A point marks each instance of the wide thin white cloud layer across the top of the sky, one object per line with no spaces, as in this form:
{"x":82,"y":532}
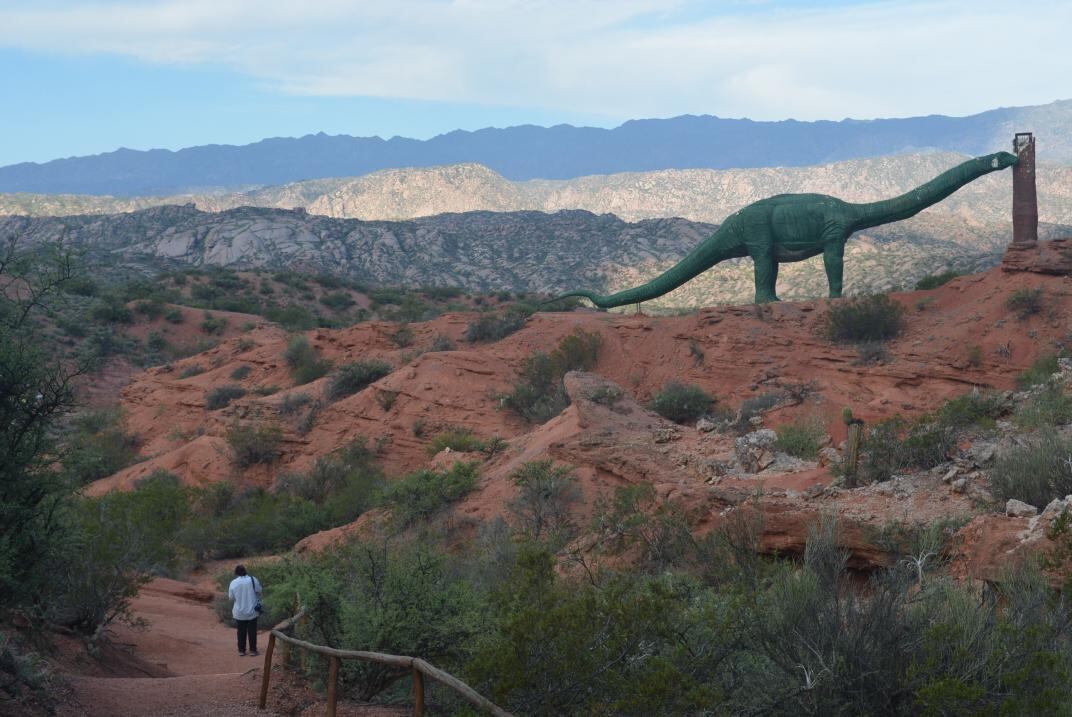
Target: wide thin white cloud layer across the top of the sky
{"x":627,"y":58}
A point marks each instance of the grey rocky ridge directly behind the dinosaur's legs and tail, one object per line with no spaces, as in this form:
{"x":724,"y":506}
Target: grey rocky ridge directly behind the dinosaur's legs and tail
{"x":490,"y":251}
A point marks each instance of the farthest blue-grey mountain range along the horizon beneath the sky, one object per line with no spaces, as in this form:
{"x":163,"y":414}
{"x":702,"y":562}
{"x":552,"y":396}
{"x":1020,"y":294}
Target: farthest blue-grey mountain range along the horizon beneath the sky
{"x":534,"y":153}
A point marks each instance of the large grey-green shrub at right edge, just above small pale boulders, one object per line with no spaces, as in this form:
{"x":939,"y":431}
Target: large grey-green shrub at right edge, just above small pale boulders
{"x":1036,"y":473}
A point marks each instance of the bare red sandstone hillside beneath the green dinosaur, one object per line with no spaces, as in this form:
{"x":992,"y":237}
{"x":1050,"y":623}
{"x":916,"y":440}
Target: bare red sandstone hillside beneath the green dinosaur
{"x":959,"y":337}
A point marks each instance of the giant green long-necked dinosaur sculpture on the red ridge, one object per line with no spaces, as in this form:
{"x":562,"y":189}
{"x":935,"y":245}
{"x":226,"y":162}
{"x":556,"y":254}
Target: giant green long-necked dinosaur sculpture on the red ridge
{"x":794,"y":228}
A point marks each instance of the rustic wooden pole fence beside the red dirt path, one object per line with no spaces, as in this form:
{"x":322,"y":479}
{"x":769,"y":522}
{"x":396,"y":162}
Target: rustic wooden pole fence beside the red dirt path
{"x":420,"y":669}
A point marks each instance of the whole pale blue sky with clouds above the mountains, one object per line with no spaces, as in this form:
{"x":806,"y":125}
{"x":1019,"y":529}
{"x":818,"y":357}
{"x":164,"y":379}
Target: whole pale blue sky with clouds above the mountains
{"x":87,"y":78}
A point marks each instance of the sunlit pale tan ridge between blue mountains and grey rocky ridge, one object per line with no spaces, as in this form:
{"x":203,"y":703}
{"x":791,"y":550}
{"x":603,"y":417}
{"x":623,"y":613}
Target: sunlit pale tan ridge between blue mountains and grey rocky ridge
{"x":702,"y":196}
